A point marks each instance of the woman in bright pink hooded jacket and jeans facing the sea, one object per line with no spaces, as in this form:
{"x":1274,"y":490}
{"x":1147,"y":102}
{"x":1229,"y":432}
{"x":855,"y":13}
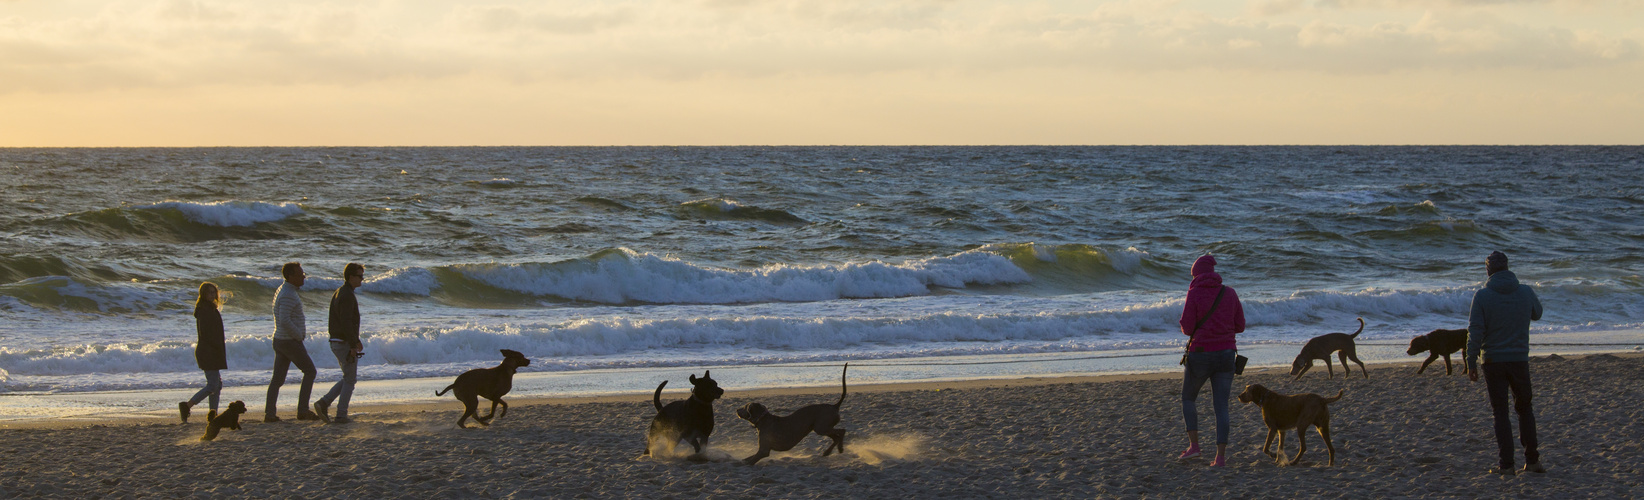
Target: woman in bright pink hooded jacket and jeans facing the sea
{"x":1211,"y":351}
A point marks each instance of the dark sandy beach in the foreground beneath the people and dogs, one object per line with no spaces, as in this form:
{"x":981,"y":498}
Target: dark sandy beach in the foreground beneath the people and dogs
{"x":1397,"y":435}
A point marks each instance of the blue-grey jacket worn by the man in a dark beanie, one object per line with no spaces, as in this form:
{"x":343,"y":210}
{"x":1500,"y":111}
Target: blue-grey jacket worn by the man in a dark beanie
{"x":1500,"y":325}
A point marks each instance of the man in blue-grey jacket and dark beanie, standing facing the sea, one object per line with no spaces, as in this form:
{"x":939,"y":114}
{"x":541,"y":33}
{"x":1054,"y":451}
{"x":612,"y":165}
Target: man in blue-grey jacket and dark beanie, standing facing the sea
{"x":1500,"y":330}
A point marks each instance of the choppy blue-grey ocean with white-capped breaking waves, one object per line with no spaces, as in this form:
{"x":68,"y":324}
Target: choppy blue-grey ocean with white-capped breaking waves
{"x":612,"y":259}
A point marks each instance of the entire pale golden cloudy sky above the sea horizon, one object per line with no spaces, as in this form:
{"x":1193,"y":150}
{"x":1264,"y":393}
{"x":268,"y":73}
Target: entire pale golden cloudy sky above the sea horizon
{"x":405,"y":73}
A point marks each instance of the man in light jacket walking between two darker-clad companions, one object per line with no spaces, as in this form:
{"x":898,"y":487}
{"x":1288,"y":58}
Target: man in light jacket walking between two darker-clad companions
{"x":290,"y":330}
